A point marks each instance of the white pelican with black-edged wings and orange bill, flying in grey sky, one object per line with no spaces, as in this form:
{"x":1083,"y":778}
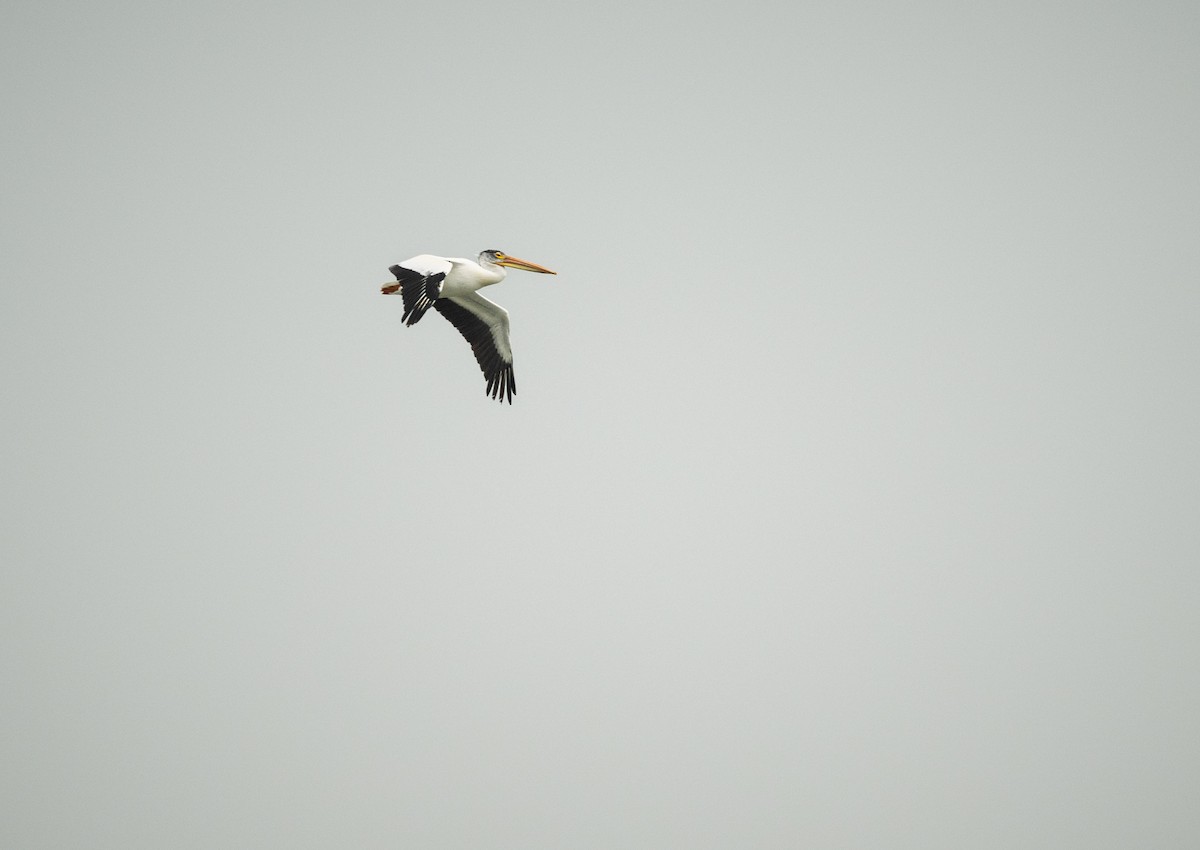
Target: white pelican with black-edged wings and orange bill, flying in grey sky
{"x":452,"y":285}
